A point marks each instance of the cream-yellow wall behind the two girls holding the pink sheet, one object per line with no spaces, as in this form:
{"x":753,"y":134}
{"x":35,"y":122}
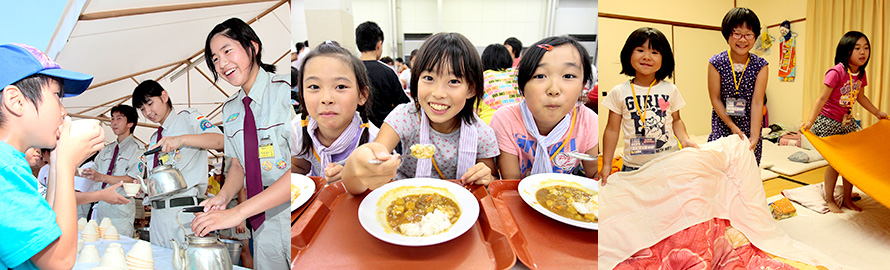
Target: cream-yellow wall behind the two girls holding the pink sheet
{"x":693,"y":47}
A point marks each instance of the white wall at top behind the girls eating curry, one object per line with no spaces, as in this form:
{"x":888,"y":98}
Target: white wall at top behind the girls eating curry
{"x":482,"y":22}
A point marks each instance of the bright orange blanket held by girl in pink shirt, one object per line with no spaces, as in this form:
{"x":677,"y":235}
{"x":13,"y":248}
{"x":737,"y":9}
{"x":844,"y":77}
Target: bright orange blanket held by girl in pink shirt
{"x":861,"y":157}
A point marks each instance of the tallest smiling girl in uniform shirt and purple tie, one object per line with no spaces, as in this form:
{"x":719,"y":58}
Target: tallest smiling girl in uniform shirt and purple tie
{"x":257,"y":138}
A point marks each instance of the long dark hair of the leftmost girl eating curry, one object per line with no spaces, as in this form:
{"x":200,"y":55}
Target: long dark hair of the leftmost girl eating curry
{"x":362,"y":80}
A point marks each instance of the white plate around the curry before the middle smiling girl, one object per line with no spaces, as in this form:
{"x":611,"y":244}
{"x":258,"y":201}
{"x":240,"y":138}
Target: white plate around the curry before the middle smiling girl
{"x":469,"y":208}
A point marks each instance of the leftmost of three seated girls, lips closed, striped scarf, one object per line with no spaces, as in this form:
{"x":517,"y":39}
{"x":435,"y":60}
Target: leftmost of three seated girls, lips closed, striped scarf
{"x":334,"y":90}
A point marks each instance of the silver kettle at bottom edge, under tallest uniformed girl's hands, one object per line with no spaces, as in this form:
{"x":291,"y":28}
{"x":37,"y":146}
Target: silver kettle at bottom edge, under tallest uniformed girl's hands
{"x":200,"y":253}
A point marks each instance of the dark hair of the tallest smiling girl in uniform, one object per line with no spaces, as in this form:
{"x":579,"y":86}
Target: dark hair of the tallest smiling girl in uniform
{"x":237,"y":30}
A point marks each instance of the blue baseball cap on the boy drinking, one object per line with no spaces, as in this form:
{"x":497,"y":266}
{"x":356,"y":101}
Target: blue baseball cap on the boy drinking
{"x":18,"y":61}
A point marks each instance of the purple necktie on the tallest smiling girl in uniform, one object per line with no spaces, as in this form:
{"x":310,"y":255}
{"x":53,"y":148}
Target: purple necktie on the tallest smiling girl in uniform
{"x":252,"y":174}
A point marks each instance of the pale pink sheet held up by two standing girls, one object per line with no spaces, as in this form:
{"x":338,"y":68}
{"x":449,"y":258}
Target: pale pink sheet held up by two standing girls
{"x":682,"y":189}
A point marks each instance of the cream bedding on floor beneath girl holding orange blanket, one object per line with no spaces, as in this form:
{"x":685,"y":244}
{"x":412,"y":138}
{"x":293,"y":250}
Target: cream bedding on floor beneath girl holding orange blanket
{"x":857,"y":239}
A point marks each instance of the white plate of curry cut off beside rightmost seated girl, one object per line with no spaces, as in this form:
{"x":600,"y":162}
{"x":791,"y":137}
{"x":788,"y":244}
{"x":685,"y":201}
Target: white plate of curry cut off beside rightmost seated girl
{"x":530,"y":185}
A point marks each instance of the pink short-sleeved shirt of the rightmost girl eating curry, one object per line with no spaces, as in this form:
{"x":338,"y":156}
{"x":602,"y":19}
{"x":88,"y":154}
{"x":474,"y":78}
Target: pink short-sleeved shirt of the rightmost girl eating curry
{"x":515,"y":139}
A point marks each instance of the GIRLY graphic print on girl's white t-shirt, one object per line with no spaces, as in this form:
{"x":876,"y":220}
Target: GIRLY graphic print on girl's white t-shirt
{"x":655,"y":107}
